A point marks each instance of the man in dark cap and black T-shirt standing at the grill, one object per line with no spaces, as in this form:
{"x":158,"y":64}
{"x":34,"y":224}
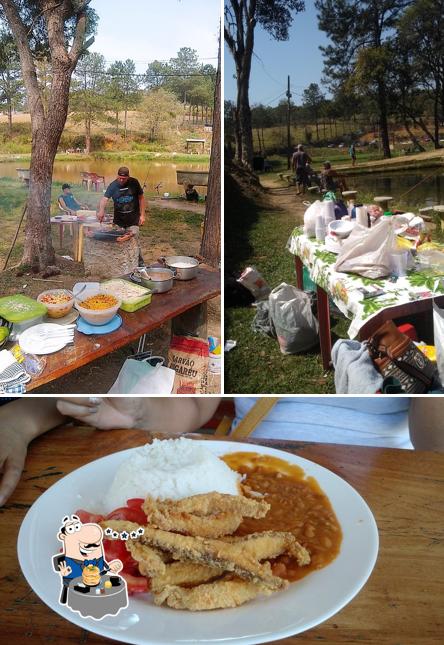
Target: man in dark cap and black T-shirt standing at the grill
{"x":129,"y":203}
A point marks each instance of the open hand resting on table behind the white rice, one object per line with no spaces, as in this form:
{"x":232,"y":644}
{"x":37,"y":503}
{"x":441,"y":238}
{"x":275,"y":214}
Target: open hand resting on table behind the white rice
{"x":102,"y":413}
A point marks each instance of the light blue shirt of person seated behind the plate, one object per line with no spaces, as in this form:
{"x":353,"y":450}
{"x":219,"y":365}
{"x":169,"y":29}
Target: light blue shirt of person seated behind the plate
{"x":365,"y":421}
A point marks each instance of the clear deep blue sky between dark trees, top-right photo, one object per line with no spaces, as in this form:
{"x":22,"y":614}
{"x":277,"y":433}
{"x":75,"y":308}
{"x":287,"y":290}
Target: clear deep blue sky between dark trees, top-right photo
{"x":273,"y":61}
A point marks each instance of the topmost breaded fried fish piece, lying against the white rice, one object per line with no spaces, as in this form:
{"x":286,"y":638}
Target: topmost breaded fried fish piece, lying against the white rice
{"x":206,"y":515}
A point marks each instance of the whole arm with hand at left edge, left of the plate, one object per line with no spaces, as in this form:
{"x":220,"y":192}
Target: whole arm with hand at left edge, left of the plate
{"x":20,"y":422}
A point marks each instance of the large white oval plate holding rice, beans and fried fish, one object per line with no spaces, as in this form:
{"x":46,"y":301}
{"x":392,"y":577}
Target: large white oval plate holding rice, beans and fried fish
{"x":305,"y":604}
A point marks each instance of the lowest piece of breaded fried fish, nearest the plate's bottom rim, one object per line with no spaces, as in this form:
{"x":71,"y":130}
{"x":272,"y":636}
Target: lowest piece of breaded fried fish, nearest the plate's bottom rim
{"x":216,"y":595}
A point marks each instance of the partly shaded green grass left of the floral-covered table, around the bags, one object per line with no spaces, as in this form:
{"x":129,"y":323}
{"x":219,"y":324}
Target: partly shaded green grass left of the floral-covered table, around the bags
{"x":256,"y":235}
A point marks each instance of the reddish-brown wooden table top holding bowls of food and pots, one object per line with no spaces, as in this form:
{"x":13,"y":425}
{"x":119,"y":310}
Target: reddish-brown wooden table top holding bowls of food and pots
{"x":185,"y":299}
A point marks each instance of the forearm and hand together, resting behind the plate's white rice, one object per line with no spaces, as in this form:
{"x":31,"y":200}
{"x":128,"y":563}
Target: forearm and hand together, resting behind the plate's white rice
{"x":156,"y":414}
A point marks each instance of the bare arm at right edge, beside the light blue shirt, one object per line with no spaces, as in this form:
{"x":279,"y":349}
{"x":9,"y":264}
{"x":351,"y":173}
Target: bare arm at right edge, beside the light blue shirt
{"x":426,"y":423}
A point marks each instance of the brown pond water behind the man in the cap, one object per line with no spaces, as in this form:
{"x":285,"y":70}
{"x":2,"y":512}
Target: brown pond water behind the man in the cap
{"x":159,"y":177}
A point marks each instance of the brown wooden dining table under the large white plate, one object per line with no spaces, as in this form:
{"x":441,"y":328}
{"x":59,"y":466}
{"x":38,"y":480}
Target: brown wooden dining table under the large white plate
{"x":401,"y":603}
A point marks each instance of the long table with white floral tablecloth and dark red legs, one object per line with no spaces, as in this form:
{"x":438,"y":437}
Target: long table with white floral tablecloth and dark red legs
{"x":410,"y":295}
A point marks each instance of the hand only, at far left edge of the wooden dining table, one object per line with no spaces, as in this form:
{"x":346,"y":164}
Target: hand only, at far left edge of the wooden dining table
{"x":13,"y":449}
